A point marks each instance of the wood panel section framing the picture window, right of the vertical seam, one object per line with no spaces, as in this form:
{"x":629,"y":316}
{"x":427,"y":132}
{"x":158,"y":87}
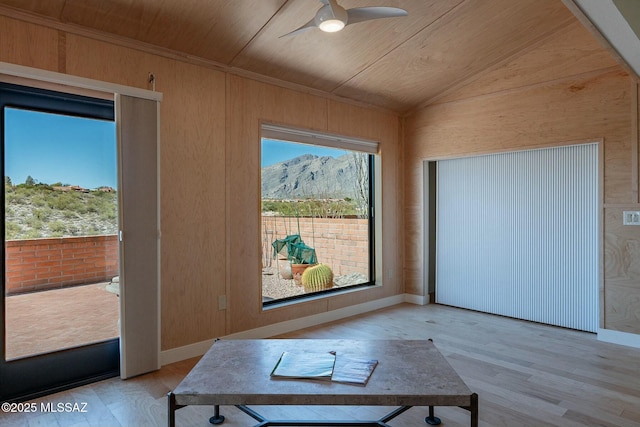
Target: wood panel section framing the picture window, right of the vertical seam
{"x":249,"y":104}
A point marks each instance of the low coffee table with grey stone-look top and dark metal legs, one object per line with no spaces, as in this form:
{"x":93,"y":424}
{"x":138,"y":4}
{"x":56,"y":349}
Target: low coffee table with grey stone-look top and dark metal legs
{"x":237,"y":372}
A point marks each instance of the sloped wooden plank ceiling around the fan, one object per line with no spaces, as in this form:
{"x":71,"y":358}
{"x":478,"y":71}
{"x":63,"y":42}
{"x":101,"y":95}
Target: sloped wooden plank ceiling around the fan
{"x":398,"y":63}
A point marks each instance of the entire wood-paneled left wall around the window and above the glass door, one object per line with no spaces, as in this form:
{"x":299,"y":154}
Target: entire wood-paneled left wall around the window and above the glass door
{"x":210,"y":175}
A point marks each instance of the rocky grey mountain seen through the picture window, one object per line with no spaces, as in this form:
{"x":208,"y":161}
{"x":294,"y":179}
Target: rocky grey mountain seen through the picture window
{"x":311,"y":176}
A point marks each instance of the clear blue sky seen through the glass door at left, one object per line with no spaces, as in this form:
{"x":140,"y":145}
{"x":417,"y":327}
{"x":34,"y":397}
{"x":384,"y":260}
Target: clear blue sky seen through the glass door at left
{"x":56,"y":148}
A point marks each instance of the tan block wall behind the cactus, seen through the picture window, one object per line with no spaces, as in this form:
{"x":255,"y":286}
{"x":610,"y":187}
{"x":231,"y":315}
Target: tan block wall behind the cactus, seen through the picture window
{"x":341,"y":243}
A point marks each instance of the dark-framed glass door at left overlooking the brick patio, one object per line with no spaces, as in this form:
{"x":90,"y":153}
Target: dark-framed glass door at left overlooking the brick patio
{"x":61,"y":289}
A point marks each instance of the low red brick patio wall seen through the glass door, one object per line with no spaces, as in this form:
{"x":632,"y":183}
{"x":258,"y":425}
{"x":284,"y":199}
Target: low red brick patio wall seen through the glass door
{"x":39,"y":264}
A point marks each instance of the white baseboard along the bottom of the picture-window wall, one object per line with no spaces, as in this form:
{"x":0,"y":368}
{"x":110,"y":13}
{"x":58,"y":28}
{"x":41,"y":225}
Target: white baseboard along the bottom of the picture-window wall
{"x":199,"y":348}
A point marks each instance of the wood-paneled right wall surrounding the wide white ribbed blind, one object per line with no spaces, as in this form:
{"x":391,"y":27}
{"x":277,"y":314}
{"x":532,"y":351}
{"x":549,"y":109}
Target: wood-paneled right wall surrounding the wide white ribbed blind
{"x":566,"y":89}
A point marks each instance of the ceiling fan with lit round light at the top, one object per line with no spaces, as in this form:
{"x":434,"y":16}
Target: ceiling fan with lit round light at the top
{"x":332,"y":17}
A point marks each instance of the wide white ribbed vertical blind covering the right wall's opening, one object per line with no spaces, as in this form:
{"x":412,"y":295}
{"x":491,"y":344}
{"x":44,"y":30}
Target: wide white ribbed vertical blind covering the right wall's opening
{"x":517,"y":235}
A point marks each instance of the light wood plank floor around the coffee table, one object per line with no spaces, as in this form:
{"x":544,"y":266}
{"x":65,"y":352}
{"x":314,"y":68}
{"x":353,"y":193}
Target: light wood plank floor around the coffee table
{"x":526,"y":374}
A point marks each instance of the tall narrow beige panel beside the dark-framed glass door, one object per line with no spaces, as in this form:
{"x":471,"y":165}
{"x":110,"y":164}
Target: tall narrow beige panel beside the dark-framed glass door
{"x":137,"y":122}
